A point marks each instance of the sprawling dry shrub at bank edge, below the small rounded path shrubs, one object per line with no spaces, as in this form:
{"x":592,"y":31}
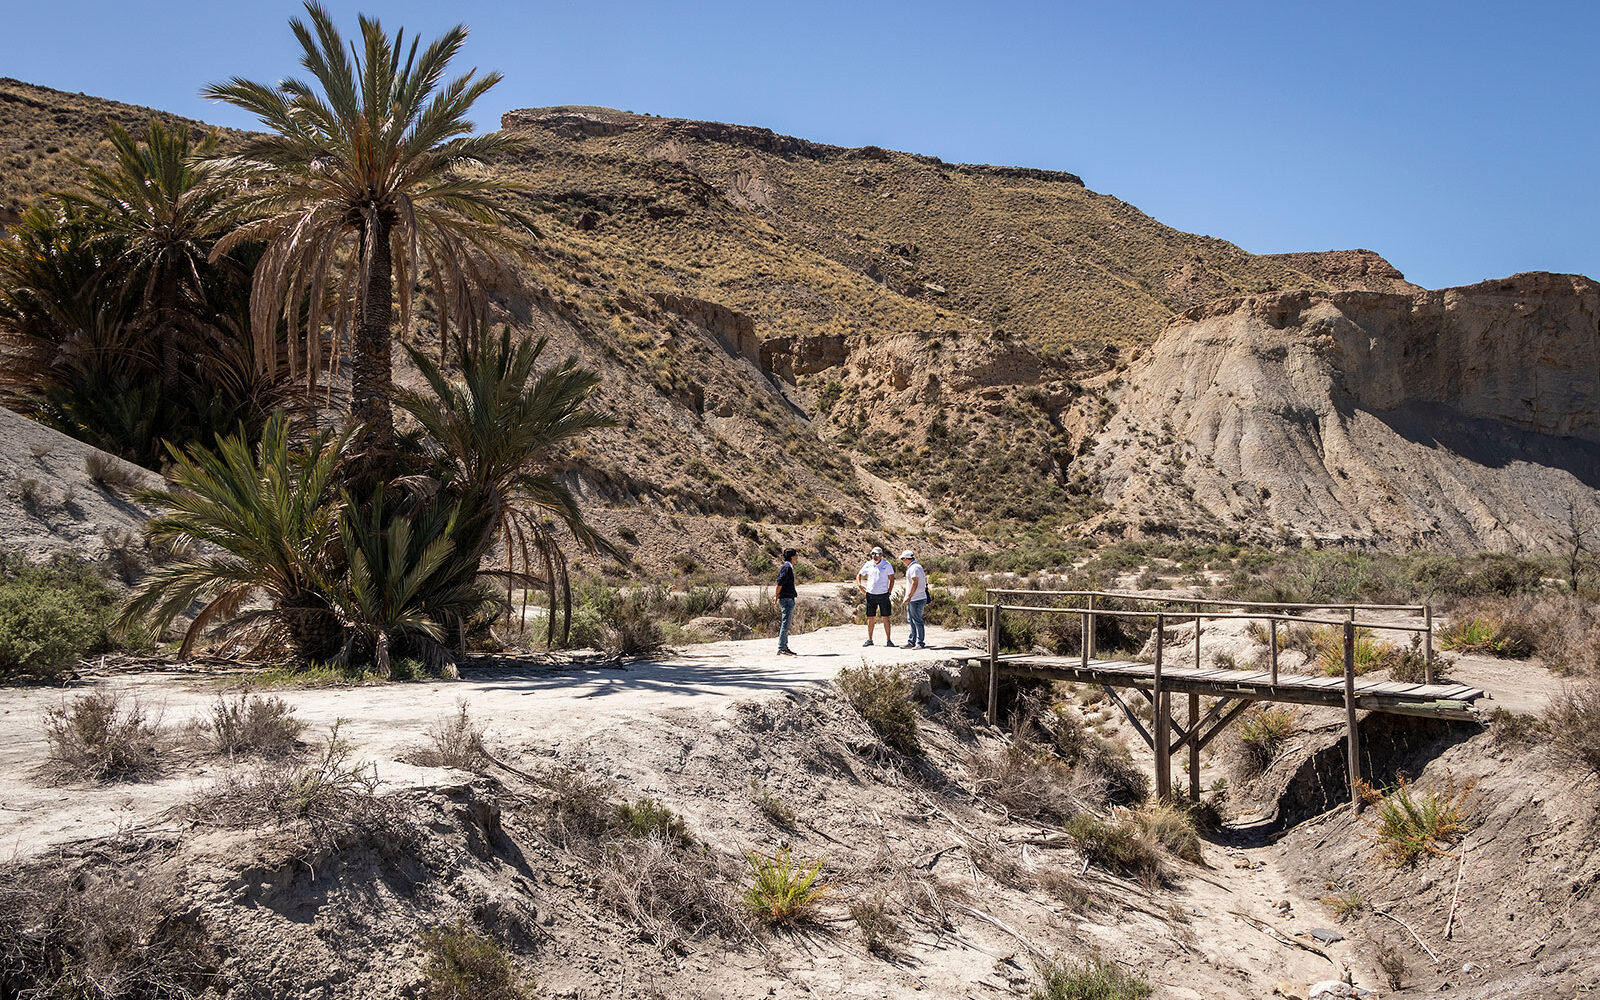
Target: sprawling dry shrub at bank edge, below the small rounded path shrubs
{"x":329,"y":804}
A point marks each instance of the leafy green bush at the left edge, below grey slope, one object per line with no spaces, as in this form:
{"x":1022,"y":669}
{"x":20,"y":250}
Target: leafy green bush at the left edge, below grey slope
{"x":52,"y":617}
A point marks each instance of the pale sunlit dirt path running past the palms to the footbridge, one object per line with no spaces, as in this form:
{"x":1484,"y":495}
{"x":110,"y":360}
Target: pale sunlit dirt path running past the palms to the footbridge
{"x":535,"y":705}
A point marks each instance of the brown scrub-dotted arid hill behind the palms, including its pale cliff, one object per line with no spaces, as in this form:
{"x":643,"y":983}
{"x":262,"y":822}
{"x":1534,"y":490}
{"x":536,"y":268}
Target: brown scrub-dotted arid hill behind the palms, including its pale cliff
{"x":841,"y":345}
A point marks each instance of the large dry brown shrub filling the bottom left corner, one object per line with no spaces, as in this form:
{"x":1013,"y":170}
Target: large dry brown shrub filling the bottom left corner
{"x":103,"y":934}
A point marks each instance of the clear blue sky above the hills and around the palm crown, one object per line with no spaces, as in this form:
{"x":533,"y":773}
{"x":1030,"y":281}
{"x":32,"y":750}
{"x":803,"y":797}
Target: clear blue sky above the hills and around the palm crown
{"x":1458,"y":140}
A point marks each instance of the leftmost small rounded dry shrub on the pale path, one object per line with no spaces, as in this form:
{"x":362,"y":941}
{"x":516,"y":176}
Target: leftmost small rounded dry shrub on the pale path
{"x":102,"y":738}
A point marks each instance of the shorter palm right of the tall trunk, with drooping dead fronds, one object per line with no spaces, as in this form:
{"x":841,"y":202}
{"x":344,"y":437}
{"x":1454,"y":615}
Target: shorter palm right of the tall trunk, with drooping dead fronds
{"x":494,"y":434}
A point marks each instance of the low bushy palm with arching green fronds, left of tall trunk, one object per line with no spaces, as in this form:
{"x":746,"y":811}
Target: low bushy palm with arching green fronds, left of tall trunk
{"x":270,"y":527}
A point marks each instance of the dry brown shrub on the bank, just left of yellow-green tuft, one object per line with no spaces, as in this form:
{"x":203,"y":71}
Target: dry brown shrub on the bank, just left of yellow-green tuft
{"x":671,"y":890}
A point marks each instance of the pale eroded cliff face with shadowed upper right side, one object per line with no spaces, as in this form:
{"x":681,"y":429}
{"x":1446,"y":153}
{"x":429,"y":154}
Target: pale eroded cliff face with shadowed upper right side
{"x":1454,"y":420}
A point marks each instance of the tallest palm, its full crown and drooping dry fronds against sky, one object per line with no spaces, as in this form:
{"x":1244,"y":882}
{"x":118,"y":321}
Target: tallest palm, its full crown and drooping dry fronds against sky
{"x":367,"y":174}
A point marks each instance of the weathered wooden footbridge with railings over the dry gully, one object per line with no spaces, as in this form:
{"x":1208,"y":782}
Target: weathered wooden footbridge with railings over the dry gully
{"x":1231,"y":690}
